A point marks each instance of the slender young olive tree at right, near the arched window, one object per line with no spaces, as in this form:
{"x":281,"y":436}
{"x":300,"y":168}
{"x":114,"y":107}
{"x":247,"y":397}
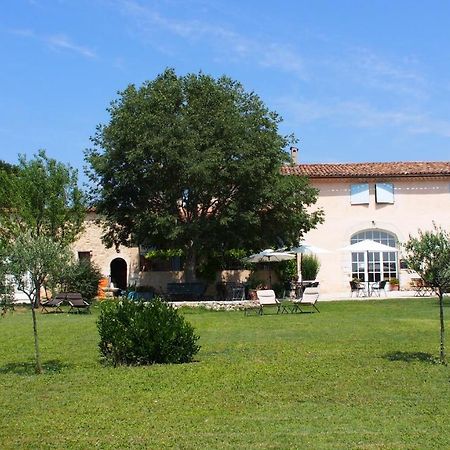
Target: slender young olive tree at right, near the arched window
{"x":429,"y":255}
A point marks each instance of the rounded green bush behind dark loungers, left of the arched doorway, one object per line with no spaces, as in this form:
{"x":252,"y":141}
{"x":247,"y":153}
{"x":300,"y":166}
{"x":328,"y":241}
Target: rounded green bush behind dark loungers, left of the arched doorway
{"x":83,"y":277}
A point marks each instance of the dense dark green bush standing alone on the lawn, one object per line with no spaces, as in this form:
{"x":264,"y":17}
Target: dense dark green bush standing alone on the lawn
{"x":138,"y":333}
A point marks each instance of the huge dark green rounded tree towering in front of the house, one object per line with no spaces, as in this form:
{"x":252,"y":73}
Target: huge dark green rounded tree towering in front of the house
{"x":192,"y":162}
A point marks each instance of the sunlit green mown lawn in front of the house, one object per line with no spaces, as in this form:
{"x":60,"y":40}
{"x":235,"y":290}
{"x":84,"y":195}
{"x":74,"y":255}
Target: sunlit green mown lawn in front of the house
{"x":357,"y":375}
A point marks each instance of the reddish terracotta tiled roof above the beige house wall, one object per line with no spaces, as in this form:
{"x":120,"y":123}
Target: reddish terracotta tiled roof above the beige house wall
{"x":368,"y":170}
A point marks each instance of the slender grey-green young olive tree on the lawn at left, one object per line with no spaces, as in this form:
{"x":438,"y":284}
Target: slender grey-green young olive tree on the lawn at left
{"x":33,"y":260}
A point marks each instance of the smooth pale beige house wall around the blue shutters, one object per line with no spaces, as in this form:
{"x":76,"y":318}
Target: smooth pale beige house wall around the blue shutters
{"x":417,"y":203}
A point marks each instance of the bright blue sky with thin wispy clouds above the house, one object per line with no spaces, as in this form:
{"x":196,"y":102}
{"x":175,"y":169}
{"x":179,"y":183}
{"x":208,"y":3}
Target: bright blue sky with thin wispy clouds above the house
{"x":354,"y":80}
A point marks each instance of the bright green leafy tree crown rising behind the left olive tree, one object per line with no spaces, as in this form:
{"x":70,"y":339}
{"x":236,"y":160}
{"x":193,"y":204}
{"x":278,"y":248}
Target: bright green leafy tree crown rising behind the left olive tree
{"x":41,"y":196}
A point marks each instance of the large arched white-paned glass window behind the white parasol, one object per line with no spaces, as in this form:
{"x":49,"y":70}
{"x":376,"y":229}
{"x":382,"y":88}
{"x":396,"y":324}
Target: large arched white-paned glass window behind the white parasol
{"x":374,"y":266}
